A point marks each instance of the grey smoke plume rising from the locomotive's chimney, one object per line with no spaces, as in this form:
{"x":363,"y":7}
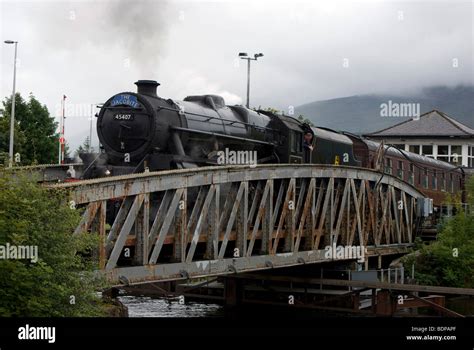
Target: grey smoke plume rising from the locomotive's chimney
{"x":136,"y":29}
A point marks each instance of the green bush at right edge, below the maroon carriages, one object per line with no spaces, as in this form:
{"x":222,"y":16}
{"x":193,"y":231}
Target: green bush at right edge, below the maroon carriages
{"x":449,"y":261}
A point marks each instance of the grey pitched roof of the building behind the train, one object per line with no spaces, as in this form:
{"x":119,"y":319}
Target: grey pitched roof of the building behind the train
{"x":430,"y":124}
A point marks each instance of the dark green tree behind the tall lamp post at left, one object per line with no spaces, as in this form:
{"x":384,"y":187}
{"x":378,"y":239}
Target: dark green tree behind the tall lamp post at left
{"x":36,"y":138}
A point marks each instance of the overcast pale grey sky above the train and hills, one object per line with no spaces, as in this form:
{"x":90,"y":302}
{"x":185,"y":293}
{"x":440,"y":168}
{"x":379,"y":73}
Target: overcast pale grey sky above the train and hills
{"x":90,"y":50}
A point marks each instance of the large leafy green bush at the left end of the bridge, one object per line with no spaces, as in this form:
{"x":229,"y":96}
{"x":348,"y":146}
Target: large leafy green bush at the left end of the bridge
{"x":31,"y":215}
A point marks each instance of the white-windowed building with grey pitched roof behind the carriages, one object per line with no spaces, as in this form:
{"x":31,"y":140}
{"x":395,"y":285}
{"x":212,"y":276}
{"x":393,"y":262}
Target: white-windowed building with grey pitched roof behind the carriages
{"x":433,"y":134}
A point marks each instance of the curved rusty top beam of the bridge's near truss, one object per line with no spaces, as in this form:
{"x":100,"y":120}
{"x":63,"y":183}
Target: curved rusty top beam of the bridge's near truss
{"x":129,"y":185}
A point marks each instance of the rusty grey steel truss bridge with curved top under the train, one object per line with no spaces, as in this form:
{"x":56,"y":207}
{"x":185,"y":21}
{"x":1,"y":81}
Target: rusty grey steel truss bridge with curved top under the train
{"x":170,"y":225}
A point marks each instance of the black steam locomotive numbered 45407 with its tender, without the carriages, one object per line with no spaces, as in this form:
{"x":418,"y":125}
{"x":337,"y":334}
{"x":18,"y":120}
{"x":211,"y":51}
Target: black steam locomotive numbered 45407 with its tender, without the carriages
{"x":142,"y":130}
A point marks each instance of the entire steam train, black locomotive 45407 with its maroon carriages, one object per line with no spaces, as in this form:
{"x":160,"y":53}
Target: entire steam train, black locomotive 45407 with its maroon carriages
{"x":141,"y":130}
